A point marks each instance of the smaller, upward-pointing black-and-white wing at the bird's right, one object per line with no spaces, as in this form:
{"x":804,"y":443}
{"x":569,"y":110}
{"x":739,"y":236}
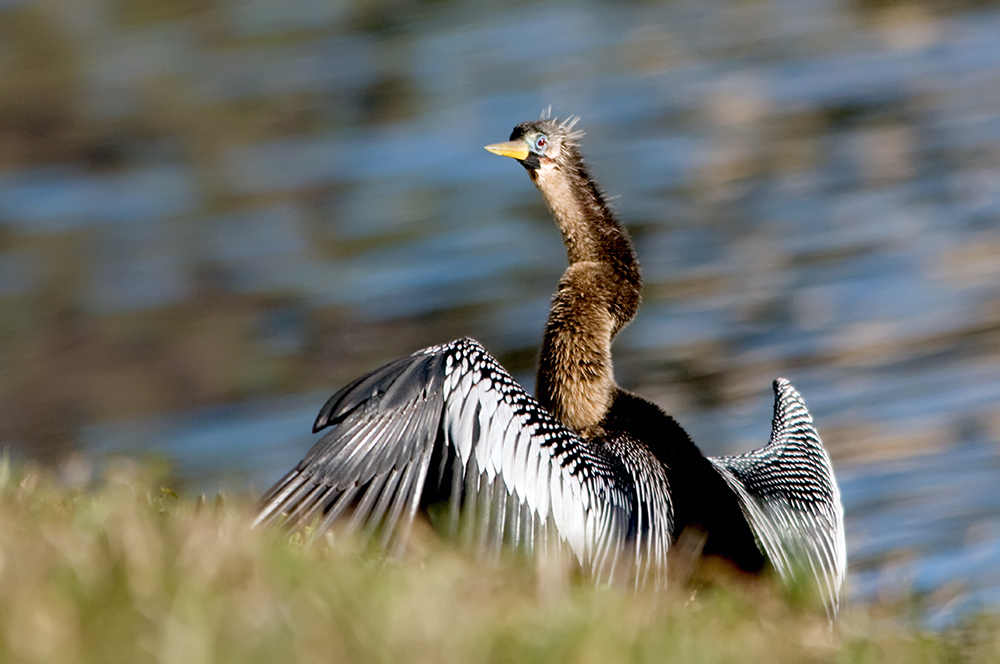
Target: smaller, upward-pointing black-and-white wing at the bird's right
{"x":791,"y":499}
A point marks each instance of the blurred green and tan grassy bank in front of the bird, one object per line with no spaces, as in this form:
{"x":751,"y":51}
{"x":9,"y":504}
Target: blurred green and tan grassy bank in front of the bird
{"x":126,"y":571}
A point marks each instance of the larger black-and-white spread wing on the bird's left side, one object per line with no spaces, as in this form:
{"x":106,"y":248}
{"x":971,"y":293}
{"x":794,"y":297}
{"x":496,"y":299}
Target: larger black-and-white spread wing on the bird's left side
{"x":453,"y":415}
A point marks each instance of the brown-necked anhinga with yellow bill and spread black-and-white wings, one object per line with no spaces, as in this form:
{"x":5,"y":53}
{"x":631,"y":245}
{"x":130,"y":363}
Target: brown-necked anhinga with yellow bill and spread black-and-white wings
{"x":582,"y":466}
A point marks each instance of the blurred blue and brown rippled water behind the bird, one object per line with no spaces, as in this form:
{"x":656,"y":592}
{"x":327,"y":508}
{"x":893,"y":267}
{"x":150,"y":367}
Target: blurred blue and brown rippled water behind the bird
{"x":213,"y":213}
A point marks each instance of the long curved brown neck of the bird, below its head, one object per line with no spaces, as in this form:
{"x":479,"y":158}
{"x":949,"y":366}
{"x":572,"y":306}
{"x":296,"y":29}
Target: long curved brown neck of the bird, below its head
{"x":598,"y":295}
